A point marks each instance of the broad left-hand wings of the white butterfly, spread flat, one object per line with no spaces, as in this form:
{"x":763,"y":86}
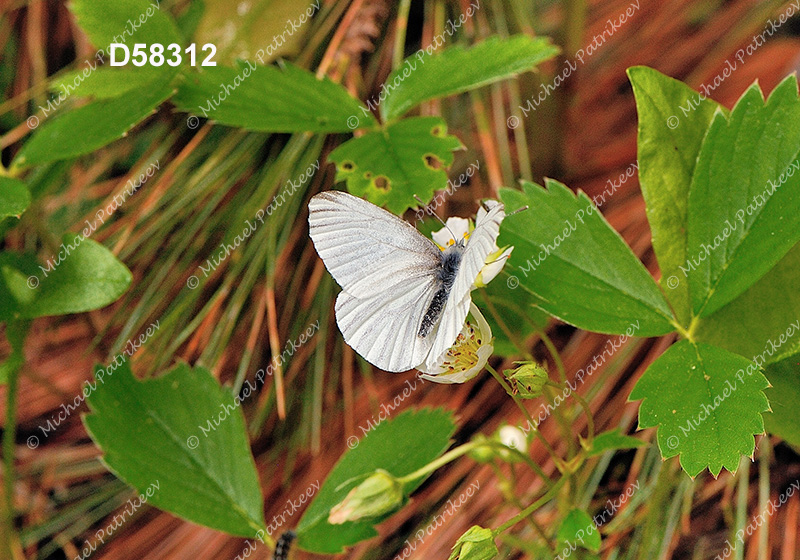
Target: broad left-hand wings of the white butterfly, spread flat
{"x":387,"y":271}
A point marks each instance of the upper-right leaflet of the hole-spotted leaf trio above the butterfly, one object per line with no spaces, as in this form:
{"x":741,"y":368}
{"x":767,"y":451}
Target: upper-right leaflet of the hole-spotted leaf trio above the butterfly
{"x":457,"y":69}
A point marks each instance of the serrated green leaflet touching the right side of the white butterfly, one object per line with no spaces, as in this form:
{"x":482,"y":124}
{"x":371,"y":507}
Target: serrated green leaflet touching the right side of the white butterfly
{"x":577,"y":266}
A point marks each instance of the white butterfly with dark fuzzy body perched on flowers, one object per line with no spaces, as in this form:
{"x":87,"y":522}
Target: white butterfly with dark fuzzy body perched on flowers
{"x":403,"y":301}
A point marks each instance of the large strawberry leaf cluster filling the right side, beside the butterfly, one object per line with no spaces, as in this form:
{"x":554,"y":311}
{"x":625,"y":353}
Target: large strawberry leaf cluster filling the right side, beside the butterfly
{"x":722,"y":190}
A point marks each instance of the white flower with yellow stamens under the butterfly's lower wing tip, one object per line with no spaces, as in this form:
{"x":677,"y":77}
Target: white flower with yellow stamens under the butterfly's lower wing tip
{"x":468,"y":355}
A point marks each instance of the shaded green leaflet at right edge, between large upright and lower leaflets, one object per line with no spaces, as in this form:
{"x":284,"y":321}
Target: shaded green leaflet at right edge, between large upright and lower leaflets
{"x":744,"y":328}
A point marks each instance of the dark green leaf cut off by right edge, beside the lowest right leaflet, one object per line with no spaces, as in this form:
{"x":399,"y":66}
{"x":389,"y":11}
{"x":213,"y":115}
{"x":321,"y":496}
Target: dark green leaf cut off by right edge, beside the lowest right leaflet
{"x":784,"y":399}
